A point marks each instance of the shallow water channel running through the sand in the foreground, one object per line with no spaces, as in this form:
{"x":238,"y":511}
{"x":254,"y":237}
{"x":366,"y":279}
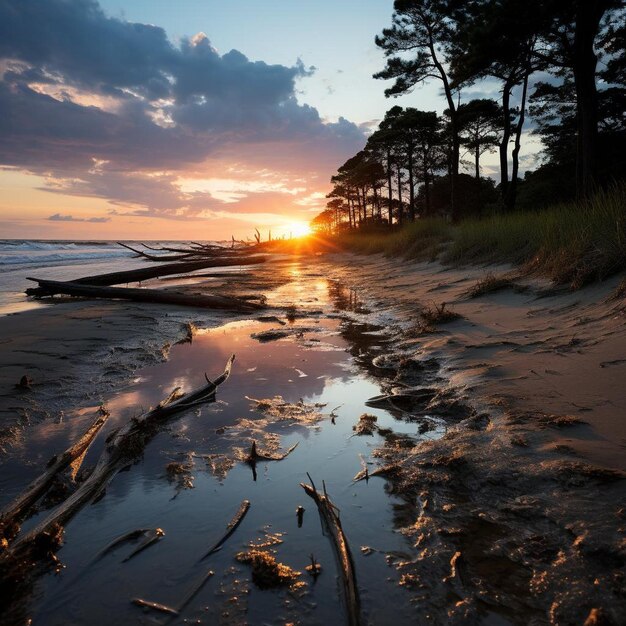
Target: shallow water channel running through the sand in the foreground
{"x":319,"y":362}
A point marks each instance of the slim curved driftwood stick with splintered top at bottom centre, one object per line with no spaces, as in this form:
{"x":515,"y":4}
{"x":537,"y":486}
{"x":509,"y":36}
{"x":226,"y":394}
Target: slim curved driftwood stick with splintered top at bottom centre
{"x":328,"y":513}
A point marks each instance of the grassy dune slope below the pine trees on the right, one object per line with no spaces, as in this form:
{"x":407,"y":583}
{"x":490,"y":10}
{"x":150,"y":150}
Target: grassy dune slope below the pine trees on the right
{"x":574,"y":242}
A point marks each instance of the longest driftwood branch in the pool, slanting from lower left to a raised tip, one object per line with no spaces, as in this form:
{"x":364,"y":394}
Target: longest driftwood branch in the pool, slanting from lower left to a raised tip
{"x":122,"y":446}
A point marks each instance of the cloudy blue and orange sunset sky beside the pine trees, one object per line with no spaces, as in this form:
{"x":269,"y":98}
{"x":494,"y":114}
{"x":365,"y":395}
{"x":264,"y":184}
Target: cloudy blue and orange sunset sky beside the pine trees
{"x":201,"y":119}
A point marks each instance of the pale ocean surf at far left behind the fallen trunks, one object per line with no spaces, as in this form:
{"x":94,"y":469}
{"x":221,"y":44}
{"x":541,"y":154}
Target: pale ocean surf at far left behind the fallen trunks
{"x":56,"y":260}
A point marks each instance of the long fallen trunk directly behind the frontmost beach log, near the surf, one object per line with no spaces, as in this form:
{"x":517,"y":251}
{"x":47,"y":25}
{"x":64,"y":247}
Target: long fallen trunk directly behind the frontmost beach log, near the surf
{"x":146,"y":273}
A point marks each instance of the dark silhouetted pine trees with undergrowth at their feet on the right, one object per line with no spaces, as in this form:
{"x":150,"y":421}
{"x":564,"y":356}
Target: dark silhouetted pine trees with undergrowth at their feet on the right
{"x":561,"y":65}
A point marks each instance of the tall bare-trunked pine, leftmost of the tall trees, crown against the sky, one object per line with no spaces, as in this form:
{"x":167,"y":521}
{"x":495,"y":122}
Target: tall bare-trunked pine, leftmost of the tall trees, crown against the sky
{"x":423,"y":29}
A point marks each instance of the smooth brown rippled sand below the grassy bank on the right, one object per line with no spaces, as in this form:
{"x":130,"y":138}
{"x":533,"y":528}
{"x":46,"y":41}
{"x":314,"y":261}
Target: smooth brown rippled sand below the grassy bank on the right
{"x":543,"y":351}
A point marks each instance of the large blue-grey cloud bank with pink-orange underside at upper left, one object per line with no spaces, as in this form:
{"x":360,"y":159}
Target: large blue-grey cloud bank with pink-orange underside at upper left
{"x":80,"y":88}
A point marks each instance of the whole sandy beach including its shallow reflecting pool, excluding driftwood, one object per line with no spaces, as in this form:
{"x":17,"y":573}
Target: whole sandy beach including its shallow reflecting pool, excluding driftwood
{"x":495,"y":467}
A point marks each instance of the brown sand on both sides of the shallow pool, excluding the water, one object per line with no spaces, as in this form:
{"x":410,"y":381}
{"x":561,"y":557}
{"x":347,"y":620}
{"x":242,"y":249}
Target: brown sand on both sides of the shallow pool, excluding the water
{"x":522,"y":455}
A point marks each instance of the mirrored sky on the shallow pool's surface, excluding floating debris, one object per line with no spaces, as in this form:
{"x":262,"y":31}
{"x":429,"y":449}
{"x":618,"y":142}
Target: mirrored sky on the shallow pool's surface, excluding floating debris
{"x":142,"y":497}
